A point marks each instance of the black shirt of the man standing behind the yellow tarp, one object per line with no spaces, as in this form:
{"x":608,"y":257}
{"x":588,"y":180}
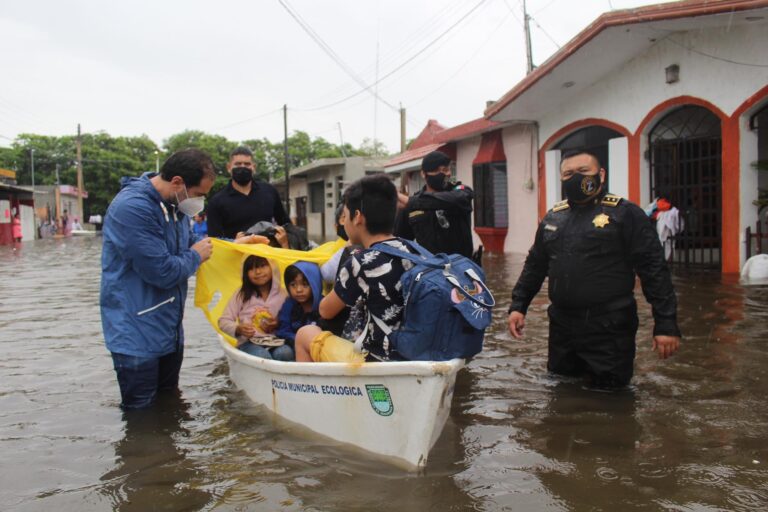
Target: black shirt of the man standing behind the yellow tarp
{"x":230,"y":211}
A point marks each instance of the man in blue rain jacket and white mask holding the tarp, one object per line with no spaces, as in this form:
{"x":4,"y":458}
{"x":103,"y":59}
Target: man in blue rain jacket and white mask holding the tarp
{"x":149,"y":253}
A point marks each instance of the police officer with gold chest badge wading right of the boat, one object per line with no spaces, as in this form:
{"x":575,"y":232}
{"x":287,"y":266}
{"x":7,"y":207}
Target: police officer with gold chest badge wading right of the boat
{"x":591,"y":246}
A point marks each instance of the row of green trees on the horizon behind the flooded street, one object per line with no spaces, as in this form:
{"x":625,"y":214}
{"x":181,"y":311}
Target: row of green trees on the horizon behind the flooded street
{"x":107,"y":159}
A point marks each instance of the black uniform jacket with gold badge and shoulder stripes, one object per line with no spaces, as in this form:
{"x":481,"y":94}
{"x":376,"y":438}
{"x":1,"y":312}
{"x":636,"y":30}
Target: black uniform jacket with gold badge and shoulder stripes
{"x":591,"y":254}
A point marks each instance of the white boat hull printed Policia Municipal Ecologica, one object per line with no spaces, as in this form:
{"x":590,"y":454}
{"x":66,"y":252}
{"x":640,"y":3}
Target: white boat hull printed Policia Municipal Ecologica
{"x":394,"y":410}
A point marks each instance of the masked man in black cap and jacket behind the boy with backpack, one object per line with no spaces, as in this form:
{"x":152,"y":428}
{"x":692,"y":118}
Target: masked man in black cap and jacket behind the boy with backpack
{"x":439,"y":215}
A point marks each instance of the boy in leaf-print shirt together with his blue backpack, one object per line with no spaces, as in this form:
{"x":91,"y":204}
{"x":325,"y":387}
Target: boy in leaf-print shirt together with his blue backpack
{"x":414,"y":305}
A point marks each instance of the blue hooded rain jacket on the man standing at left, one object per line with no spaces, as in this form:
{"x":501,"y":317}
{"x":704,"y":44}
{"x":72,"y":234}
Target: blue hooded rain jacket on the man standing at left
{"x":146,"y":261}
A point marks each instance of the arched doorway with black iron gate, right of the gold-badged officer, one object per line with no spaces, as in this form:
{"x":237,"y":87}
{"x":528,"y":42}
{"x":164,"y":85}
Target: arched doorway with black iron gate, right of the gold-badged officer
{"x":686,"y":168}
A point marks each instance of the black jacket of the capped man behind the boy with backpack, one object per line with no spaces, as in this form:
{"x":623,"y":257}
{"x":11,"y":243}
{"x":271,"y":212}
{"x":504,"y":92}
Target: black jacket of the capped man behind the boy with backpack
{"x":439,"y":221}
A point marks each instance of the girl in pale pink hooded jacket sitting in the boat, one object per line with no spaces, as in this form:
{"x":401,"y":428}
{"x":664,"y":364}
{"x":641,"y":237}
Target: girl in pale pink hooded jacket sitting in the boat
{"x":252,"y":311}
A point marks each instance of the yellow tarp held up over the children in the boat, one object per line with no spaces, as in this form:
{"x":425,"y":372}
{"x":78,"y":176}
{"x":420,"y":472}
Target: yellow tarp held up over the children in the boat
{"x":221,"y":276}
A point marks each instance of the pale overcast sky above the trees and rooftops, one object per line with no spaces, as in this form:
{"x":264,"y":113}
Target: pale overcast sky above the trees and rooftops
{"x":228,"y":66}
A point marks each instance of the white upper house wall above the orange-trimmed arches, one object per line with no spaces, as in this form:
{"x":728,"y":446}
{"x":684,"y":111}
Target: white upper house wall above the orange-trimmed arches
{"x":626,"y":96}
